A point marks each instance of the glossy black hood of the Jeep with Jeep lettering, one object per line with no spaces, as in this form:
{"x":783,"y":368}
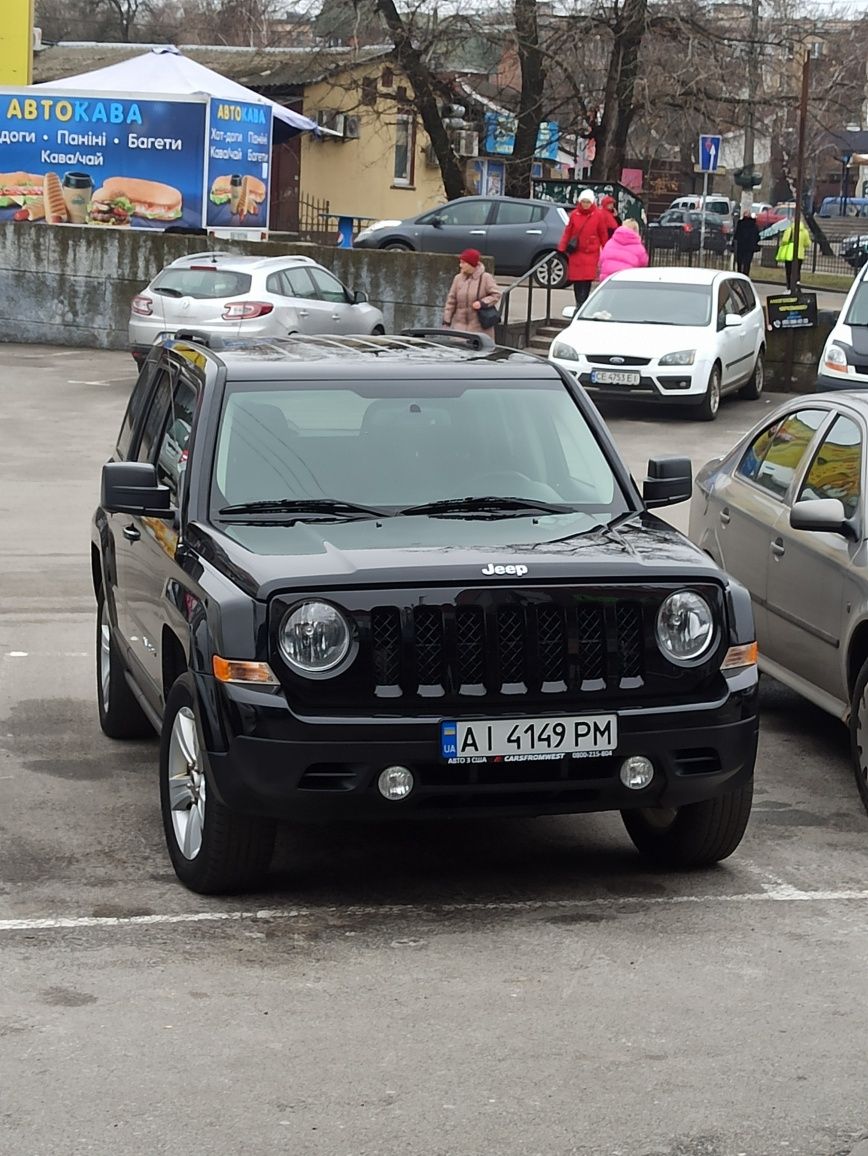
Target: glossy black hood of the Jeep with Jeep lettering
{"x":265,"y":560}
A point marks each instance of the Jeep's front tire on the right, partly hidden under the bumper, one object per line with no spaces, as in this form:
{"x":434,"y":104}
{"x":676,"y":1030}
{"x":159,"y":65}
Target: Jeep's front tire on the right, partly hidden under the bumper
{"x":696,"y":835}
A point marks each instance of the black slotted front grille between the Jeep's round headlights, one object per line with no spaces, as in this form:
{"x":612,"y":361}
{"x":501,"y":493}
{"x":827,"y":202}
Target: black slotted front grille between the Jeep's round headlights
{"x":508,"y":649}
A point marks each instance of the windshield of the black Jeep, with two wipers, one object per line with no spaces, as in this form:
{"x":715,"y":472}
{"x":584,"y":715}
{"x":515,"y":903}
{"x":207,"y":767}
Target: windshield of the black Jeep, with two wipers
{"x":399,"y":444}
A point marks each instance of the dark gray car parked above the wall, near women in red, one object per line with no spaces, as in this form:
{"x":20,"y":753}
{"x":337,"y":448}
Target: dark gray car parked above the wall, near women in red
{"x":516,"y":233}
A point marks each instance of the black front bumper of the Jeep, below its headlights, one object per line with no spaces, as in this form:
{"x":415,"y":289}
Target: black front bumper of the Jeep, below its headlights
{"x":265,"y":761}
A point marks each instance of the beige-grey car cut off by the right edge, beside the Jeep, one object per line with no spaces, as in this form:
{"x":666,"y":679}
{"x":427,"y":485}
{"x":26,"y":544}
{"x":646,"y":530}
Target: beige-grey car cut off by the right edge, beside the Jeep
{"x":785,"y":513}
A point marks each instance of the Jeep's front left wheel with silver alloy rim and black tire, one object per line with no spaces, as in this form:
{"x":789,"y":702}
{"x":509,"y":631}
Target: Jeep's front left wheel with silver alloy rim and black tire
{"x":213,"y":849}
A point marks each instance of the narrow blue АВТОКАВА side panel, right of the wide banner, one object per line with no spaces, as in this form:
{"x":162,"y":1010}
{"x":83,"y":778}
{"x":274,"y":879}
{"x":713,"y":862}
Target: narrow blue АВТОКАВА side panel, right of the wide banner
{"x":240,"y":150}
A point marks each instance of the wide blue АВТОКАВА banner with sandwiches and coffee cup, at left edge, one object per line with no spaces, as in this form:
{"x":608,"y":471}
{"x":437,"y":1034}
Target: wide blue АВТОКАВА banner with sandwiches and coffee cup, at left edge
{"x":116,"y":162}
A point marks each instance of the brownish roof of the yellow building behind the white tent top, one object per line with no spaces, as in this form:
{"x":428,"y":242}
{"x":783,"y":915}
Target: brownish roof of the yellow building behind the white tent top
{"x":257,"y":69}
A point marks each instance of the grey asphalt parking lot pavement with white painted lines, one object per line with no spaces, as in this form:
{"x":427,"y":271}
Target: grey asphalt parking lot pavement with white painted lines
{"x":500,"y":989}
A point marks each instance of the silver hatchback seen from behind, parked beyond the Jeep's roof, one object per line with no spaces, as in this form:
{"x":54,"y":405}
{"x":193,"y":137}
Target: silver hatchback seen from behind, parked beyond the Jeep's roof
{"x":220,"y":294}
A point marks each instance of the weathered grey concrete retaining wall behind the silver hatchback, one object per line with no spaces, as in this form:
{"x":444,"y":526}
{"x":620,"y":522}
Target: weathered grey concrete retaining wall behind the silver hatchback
{"x":73,"y":287}
